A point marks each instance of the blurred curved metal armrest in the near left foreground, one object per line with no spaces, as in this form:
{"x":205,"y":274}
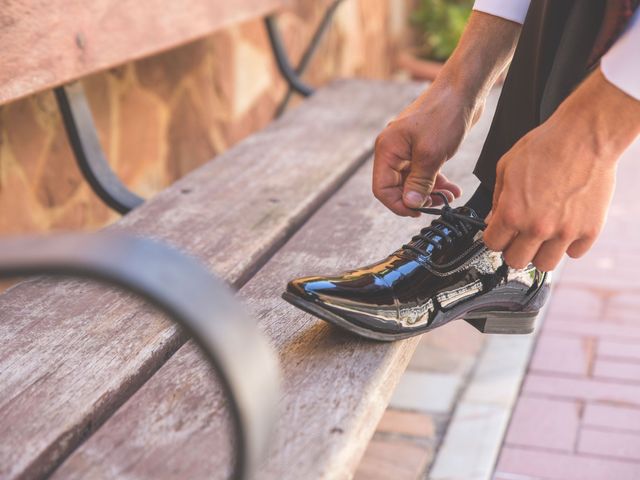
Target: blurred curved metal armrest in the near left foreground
{"x":178,"y":285}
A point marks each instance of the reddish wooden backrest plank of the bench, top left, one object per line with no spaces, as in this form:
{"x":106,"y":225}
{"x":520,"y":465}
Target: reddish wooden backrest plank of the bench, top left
{"x":49,"y":42}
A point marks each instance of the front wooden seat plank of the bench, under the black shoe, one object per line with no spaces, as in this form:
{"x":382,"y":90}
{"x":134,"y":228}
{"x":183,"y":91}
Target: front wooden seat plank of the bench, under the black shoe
{"x":336,"y":386}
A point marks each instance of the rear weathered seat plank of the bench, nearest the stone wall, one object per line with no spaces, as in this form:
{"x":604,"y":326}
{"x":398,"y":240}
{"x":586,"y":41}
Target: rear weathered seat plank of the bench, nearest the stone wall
{"x":71,"y":352}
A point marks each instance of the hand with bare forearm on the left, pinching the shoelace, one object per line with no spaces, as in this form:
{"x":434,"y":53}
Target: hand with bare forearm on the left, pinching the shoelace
{"x":412,"y":149}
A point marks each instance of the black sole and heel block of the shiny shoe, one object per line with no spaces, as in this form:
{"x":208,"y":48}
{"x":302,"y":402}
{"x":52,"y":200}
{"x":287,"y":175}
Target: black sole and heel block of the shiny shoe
{"x":509,"y":323}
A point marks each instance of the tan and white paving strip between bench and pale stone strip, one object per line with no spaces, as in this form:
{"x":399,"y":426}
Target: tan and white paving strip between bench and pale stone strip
{"x":412,"y":428}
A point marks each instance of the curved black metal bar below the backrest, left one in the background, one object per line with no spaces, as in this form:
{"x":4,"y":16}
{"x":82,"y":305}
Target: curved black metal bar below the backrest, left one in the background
{"x":83,"y":137}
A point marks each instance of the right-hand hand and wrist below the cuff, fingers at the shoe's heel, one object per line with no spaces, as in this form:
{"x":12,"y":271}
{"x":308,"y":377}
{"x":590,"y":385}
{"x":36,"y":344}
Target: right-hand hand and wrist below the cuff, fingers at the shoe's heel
{"x":554,"y":187}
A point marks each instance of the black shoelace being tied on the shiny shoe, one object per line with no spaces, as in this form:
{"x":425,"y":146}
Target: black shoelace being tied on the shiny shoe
{"x":458,"y":224}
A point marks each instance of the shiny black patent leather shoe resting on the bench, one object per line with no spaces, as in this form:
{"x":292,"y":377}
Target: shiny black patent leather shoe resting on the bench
{"x":445,"y":273}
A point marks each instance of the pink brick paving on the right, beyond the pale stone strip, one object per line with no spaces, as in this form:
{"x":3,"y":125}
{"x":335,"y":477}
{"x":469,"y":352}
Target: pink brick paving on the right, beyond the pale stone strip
{"x":578,"y":414}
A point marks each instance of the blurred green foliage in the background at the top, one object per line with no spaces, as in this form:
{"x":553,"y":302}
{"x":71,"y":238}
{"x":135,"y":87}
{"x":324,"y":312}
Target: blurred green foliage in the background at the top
{"x":442,"y":22}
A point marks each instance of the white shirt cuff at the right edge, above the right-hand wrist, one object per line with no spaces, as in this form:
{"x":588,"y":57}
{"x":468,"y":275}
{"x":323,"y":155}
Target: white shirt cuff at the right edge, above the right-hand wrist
{"x":621,"y":65}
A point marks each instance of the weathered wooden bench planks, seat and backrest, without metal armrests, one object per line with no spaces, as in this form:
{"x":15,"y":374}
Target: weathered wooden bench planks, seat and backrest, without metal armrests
{"x":99,"y":384}
